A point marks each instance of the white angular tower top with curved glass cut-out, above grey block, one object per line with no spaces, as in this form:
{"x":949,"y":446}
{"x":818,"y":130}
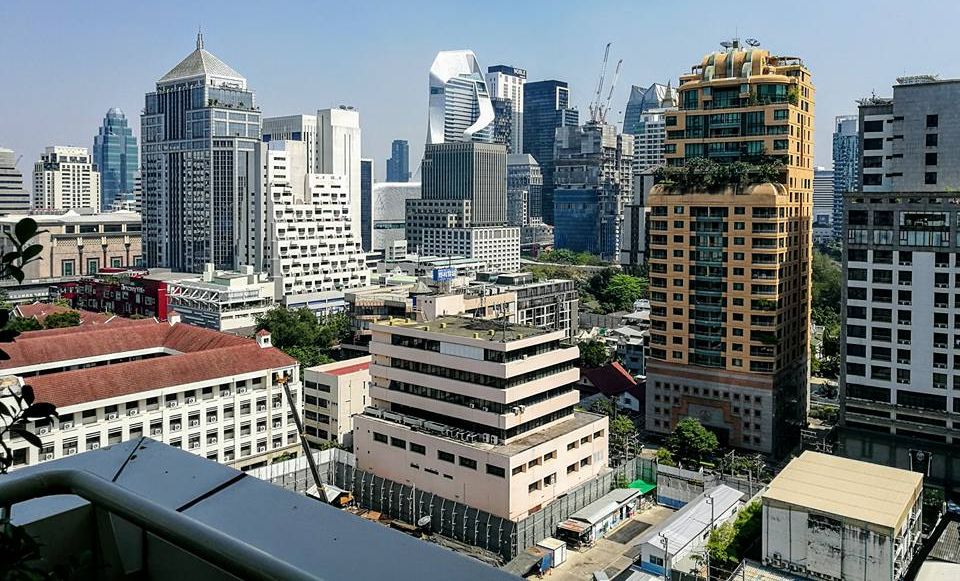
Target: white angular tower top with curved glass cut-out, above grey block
{"x":460,"y":108}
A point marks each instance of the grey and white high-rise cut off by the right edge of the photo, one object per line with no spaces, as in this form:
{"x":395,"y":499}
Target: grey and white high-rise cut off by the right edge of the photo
{"x":900,"y":341}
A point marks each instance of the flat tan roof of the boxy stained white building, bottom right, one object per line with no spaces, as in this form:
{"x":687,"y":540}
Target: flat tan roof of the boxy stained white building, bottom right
{"x":851,"y":489}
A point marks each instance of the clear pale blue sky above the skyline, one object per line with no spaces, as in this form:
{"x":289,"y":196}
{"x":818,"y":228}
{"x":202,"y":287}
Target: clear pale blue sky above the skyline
{"x":63,"y":64}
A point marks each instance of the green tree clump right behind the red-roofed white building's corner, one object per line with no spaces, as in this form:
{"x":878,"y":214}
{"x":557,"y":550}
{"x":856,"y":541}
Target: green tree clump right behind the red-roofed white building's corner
{"x":299,"y":333}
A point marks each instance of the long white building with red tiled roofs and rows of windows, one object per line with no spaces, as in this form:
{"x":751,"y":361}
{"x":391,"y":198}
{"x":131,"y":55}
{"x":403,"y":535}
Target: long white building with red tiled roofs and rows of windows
{"x":216,"y":395}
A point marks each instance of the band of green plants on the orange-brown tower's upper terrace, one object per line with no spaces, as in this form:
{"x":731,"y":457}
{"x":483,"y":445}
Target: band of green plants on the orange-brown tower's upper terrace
{"x":703,"y":174}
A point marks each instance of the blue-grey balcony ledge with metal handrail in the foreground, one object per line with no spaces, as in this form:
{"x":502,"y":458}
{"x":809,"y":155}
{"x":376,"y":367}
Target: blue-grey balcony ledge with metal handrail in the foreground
{"x":144,"y":510}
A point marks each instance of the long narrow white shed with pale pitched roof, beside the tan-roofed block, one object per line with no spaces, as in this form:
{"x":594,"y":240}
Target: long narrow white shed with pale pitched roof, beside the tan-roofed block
{"x":673,"y":544}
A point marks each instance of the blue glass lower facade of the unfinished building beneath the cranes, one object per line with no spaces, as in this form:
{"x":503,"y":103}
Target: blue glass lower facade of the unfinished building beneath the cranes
{"x":577,"y":220}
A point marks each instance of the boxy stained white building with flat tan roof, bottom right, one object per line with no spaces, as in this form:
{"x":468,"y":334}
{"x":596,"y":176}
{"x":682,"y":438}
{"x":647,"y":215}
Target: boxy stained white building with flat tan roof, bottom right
{"x":828,"y":517}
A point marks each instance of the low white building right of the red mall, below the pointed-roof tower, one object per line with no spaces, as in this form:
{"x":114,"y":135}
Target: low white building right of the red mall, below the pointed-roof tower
{"x":222,"y":300}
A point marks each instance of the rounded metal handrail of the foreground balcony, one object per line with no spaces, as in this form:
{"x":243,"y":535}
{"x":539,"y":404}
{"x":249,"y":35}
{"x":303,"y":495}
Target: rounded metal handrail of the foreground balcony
{"x":201,"y":540}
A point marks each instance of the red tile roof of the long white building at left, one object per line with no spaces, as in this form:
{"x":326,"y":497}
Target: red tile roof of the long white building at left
{"x":198,"y":354}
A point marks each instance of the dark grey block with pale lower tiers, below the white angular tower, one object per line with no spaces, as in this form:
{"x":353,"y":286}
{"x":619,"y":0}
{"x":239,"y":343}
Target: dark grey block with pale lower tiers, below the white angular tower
{"x":463,"y":207}
